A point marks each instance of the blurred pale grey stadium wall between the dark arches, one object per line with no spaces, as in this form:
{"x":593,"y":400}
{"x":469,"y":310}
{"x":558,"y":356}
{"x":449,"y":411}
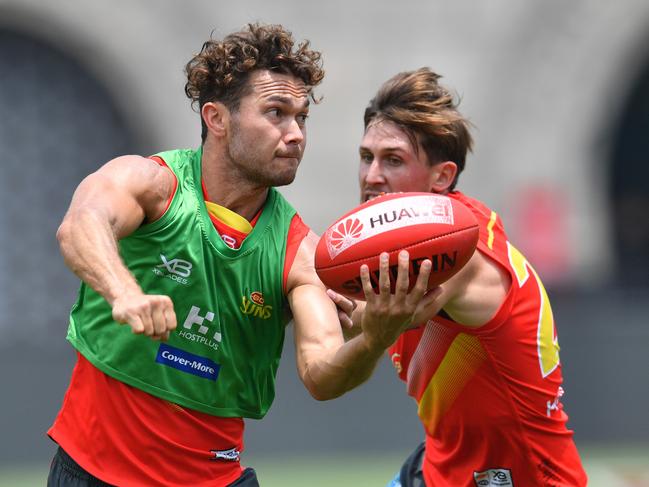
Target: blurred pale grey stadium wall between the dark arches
{"x":535,"y":78}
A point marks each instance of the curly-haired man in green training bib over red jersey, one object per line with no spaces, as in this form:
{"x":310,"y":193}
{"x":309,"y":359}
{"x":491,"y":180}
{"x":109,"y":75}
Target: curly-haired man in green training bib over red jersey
{"x":206,"y":263}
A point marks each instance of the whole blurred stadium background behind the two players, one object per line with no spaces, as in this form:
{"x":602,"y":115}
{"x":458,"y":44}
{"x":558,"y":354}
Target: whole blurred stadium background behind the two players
{"x":559,"y":94}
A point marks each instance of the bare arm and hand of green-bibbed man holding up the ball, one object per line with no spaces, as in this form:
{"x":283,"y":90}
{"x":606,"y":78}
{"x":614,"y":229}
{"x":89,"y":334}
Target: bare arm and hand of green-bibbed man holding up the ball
{"x":327,"y":364}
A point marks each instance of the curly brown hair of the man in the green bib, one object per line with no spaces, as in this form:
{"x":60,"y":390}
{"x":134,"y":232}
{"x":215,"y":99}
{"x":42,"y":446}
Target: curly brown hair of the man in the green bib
{"x":220,"y":72}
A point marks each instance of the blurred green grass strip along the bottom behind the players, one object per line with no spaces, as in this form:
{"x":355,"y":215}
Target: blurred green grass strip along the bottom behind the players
{"x":617,"y":466}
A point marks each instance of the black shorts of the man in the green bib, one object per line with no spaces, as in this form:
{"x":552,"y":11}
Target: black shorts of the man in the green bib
{"x":65,"y":472}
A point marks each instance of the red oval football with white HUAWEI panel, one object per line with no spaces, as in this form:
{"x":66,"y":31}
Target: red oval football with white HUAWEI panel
{"x":428,"y":226}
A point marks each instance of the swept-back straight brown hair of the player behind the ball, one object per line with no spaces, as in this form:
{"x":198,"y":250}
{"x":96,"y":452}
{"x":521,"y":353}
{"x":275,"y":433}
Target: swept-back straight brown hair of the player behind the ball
{"x":427,"y":112}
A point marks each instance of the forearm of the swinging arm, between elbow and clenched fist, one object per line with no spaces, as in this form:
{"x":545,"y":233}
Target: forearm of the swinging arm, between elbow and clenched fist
{"x":89,"y":247}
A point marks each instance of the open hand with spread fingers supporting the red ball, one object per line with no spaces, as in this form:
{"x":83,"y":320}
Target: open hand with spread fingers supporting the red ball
{"x":388,"y":314}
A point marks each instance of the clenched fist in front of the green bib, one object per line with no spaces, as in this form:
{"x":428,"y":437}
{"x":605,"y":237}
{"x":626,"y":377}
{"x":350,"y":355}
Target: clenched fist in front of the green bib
{"x":147,"y":314}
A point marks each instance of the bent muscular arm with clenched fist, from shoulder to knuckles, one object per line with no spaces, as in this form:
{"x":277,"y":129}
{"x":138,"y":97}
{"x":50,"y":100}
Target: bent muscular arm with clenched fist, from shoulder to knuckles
{"x":108,"y":205}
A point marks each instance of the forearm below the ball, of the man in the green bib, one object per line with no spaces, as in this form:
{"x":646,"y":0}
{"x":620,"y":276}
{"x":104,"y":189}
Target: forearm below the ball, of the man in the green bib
{"x":337,"y":371}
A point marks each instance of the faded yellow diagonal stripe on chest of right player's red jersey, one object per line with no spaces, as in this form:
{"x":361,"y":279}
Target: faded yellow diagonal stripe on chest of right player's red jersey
{"x":462,"y":360}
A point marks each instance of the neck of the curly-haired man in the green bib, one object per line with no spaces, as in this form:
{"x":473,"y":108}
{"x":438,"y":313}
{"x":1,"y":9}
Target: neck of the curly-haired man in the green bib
{"x":227,"y":188}
